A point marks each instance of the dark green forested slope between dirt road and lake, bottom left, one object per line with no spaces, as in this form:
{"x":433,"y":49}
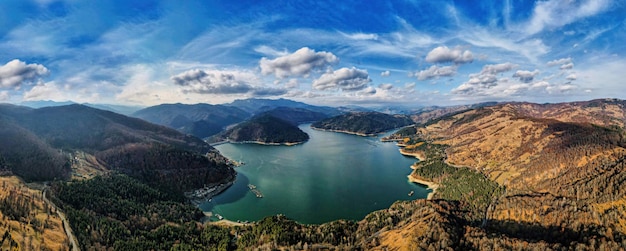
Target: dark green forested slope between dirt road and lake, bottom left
{"x":122,"y":213}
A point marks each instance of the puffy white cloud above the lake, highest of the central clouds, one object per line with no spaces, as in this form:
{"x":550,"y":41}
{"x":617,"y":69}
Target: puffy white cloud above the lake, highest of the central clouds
{"x":299,"y":63}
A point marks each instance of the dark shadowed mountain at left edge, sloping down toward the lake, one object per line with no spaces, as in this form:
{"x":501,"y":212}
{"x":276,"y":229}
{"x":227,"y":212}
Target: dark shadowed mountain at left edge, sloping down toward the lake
{"x":37,"y":143}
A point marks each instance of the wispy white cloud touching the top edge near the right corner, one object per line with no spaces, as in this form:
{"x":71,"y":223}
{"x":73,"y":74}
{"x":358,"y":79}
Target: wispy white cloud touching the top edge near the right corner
{"x":557,"y":13}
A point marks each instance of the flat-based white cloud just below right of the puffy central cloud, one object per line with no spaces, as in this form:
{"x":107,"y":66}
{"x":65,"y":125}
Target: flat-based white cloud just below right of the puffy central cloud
{"x":346,"y":79}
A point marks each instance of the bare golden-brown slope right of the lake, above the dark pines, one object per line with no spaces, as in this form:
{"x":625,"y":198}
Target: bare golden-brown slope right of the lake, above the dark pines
{"x":531,"y":153}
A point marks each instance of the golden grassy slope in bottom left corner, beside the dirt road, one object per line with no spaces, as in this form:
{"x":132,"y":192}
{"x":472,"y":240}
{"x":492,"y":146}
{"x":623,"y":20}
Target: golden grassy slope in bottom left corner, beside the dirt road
{"x":28,"y":223}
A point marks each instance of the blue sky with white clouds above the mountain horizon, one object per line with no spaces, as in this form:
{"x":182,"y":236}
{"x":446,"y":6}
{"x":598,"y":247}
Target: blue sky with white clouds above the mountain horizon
{"x":321,"y":52}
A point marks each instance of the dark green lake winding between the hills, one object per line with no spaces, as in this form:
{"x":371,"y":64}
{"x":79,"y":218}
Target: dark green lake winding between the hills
{"x":332,"y":176}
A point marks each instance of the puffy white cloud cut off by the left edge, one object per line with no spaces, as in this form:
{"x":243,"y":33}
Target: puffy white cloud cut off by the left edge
{"x":15,"y":73}
